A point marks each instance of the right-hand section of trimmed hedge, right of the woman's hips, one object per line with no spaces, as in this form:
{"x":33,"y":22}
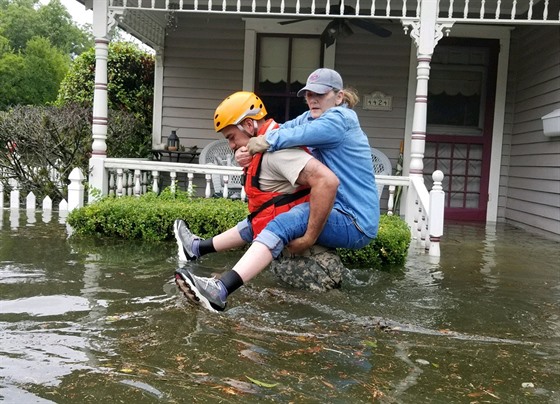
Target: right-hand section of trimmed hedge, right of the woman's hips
{"x":390,"y":247}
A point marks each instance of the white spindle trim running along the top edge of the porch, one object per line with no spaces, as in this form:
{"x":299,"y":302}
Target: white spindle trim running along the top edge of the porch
{"x":488,"y":11}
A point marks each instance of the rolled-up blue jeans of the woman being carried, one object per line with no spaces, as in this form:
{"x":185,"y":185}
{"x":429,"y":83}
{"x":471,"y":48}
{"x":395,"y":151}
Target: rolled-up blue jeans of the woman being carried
{"x":340,"y":231}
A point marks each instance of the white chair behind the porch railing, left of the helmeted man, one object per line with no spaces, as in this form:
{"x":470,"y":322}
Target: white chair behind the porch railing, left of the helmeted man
{"x":219,"y":153}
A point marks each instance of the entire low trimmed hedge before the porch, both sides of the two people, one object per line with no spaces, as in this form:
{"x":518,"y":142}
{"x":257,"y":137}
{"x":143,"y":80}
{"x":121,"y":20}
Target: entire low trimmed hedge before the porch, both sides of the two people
{"x":151,"y":217}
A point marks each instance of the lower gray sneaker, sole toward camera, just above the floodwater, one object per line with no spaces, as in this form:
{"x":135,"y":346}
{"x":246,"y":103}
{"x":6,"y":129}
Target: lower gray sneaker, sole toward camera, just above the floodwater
{"x":205,"y":290}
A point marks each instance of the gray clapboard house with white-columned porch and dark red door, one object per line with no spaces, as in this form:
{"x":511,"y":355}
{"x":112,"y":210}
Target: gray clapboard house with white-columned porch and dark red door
{"x":462,"y":84}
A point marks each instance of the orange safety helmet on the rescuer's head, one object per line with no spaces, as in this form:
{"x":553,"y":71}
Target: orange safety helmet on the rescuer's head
{"x":236,"y":107}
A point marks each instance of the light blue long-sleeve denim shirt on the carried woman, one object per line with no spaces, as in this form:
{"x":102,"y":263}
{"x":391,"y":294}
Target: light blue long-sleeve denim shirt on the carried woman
{"x":337,"y":140}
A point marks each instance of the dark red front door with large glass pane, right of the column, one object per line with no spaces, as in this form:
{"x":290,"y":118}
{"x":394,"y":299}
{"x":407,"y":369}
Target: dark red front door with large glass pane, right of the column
{"x":461,"y":95}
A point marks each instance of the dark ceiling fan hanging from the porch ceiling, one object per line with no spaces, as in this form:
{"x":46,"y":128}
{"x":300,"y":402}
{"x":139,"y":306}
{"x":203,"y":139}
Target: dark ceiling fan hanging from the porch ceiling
{"x":340,"y":27}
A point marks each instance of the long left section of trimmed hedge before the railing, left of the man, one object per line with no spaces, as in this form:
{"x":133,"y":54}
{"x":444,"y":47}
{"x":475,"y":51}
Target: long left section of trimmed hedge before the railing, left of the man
{"x":150,"y":217}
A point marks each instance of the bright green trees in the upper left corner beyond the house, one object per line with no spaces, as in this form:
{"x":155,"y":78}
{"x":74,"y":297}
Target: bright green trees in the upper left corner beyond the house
{"x":37,"y":43}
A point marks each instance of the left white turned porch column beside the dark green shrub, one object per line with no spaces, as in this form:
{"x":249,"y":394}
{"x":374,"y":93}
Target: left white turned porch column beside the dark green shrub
{"x":98,"y":177}
